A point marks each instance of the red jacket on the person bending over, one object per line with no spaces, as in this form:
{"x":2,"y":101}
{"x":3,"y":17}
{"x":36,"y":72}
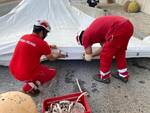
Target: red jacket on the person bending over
{"x":103,"y":29}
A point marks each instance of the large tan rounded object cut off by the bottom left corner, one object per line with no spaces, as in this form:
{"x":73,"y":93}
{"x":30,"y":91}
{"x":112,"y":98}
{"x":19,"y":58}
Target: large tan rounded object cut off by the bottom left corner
{"x":16,"y":102}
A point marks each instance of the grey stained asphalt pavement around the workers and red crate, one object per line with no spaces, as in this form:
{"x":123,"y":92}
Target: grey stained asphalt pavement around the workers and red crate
{"x":117,"y":97}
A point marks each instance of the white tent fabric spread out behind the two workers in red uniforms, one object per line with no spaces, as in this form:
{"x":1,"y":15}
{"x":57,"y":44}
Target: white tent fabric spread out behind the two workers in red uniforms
{"x":65,"y":21}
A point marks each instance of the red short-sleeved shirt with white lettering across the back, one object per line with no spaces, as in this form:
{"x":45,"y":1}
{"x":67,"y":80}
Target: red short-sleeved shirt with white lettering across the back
{"x":26,"y":58}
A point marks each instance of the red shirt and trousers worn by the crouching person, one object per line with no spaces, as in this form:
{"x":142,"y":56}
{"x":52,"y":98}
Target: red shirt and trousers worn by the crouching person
{"x":25,"y":63}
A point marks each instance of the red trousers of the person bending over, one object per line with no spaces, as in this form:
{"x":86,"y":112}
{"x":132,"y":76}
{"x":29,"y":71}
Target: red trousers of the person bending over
{"x":116,"y":47}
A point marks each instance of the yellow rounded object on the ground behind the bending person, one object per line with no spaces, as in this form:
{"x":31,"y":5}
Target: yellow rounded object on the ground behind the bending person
{"x":133,"y":7}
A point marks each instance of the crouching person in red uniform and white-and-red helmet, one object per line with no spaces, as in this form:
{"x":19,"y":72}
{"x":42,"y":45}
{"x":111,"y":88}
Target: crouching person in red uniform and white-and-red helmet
{"x":25,"y":63}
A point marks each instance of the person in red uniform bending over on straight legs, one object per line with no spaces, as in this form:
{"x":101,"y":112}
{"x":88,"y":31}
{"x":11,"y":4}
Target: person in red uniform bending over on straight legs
{"x":113,"y":33}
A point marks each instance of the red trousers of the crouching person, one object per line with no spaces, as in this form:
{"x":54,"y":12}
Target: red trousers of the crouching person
{"x":43,"y":74}
